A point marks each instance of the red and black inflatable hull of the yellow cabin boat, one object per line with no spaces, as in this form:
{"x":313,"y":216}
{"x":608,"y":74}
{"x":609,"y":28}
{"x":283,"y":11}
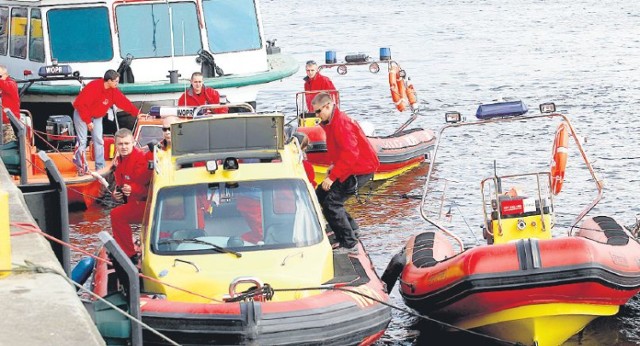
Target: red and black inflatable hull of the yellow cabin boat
{"x":345,"y":313}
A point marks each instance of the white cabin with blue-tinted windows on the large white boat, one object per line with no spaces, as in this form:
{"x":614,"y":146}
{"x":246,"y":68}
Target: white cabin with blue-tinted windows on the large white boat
{"x":146,"y":39}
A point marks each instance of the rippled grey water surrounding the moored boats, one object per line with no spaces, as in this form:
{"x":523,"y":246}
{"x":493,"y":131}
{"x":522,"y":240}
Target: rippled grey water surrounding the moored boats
{"x":582,"y":55}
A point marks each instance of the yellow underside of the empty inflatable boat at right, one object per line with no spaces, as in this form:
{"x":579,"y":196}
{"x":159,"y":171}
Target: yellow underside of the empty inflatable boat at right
{"x":542,"y":324}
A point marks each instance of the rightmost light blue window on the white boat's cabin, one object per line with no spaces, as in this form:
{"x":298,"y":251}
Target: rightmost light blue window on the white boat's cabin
{"x":232,"y":25}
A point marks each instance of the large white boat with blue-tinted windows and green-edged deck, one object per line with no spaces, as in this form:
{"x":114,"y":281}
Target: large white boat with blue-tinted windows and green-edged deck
{"x":155,"y":45}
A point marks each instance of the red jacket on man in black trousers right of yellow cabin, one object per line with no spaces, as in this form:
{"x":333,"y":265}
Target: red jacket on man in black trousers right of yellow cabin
{"x":348,"y":148}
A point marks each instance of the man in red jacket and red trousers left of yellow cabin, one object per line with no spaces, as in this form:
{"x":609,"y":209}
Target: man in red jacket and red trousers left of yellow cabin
{"x":132,"y":176}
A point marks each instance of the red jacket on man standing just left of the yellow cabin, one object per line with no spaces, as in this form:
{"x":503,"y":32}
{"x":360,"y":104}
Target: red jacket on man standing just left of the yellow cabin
{"x":134,"y":170}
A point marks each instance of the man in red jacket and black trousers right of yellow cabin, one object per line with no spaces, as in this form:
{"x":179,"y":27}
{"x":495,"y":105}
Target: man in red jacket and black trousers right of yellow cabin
{"x":353,"y":162}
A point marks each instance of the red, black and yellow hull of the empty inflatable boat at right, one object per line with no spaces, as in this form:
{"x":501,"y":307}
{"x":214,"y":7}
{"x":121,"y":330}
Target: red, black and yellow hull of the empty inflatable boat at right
{"x":517,"y":290}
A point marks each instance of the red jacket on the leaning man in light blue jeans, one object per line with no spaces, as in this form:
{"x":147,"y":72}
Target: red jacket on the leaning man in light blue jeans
{"x":94,"y":100}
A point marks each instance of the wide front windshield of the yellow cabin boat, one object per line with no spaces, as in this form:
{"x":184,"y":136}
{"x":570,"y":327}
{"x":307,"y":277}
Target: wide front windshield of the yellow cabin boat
{"x":244,"y":216}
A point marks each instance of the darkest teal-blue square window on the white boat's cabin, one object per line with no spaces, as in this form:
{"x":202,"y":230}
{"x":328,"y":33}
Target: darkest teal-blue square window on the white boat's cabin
{"x":80,"y":34}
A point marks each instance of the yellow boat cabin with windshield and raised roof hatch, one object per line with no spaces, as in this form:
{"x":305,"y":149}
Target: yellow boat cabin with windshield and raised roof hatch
{"x":216,"y":198}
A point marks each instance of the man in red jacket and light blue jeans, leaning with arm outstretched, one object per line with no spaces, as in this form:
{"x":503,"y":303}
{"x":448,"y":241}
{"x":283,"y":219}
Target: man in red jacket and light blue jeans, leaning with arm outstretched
{"x":90,"y":106}
